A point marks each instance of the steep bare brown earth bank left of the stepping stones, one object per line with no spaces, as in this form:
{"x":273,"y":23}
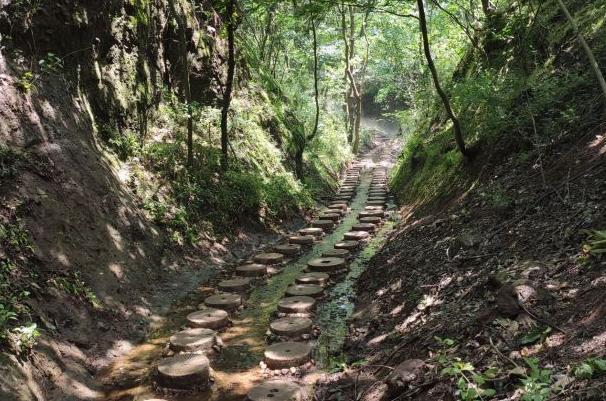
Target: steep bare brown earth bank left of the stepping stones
{"x":90,"y":268}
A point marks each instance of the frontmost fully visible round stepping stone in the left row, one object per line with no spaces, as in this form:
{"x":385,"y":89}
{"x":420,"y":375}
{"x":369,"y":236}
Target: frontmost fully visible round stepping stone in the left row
{"x":184,"y":372}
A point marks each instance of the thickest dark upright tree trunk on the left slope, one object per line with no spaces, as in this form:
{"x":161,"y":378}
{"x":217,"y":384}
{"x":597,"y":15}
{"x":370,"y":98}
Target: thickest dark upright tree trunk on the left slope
{"x":231,"y":68}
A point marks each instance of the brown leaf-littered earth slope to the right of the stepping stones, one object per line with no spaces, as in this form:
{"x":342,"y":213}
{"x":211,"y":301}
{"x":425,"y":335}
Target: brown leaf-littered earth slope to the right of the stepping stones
{"x":468,"y":292}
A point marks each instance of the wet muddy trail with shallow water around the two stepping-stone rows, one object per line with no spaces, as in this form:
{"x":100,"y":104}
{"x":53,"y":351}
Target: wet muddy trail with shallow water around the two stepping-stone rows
{"x":239,"y":364}
